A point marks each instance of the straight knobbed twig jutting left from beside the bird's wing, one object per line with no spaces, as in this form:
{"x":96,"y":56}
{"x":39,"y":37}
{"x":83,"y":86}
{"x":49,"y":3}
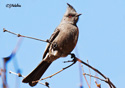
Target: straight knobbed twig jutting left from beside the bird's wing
{"x":19,"y":35}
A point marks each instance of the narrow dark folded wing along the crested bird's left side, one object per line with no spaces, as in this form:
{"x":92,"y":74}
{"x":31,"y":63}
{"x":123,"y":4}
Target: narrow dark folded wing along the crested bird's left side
{"x":53,"y":36}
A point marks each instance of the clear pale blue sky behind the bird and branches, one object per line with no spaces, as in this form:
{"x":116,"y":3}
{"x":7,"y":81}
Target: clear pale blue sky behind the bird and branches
{"x":101,"y":39}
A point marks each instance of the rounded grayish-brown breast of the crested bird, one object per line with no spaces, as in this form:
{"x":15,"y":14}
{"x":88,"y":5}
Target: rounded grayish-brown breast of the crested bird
{"x":67,"y":39}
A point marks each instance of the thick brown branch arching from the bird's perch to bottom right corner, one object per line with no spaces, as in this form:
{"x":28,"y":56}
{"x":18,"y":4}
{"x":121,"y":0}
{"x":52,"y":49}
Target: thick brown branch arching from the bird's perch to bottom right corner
{"x":107,"y":80}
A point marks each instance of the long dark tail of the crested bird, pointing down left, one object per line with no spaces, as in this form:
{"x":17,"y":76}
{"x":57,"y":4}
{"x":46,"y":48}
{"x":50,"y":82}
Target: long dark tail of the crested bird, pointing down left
{"x":36,"y":73}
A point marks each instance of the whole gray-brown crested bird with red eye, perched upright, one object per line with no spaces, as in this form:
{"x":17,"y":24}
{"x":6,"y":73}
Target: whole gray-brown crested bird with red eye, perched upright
{"x":62,"y":42}
